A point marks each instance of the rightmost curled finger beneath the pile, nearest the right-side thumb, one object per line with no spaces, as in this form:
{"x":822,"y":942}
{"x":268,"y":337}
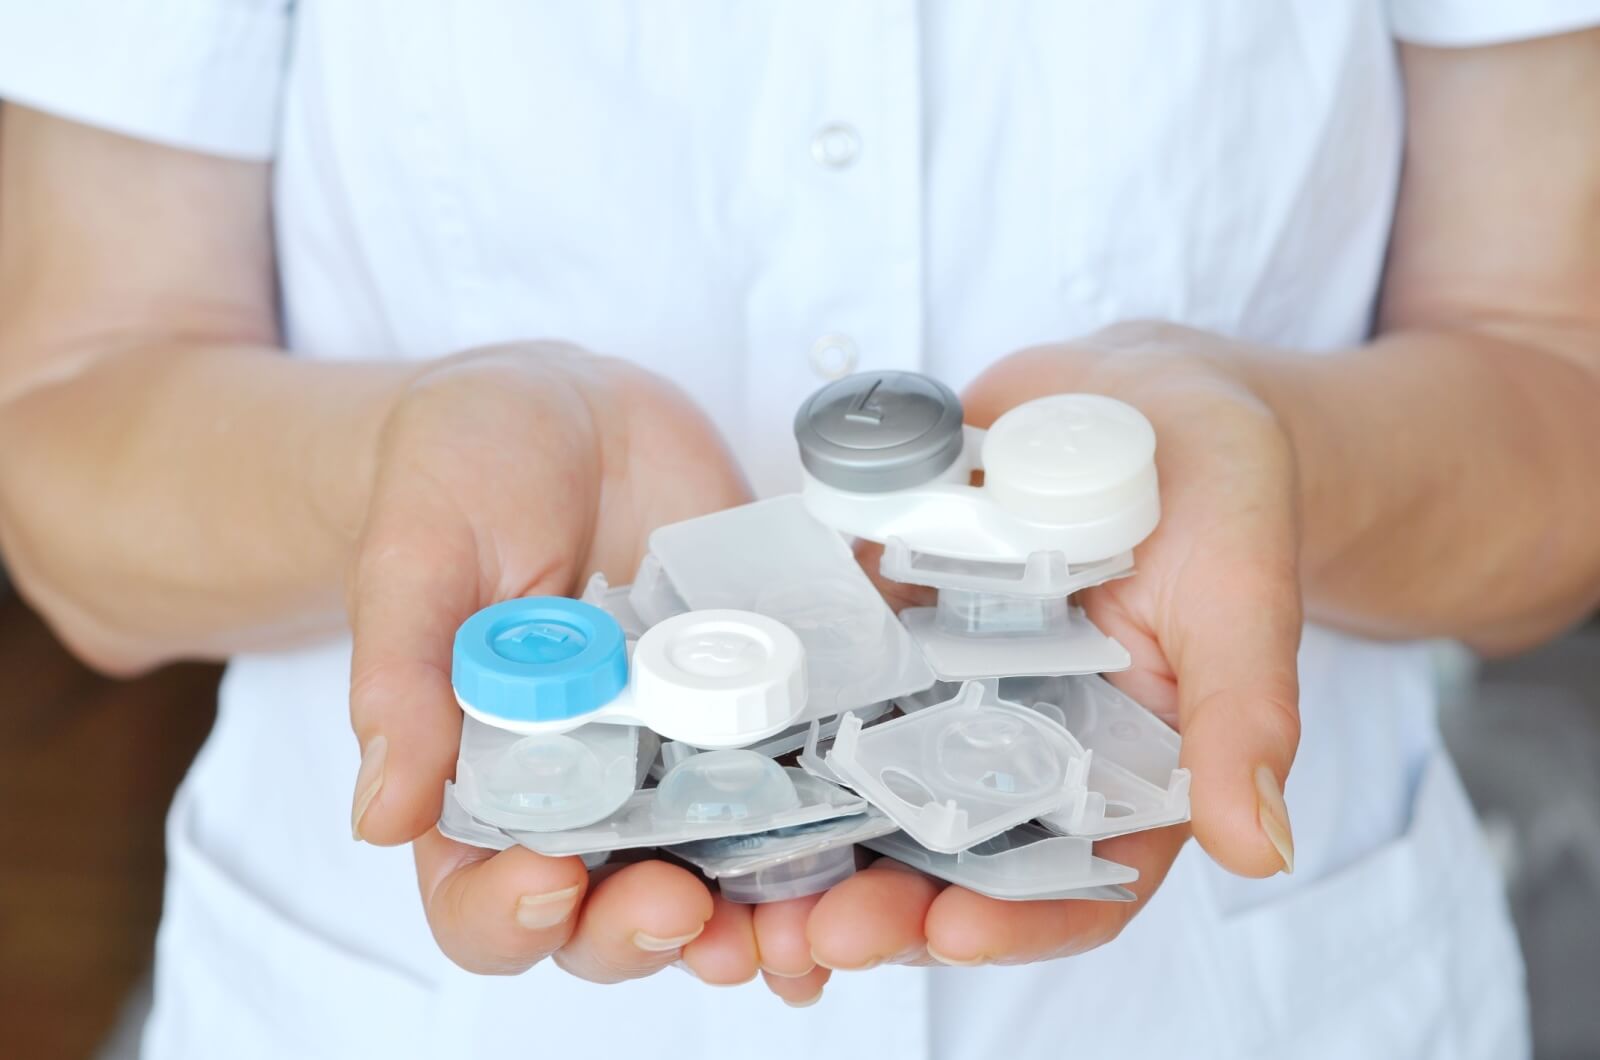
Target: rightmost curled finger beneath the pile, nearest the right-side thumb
{"x":970,"y":930}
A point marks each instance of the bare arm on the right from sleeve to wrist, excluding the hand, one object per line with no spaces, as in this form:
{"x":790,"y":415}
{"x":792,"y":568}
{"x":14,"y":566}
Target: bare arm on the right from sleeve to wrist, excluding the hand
{"x":1452,"y":470}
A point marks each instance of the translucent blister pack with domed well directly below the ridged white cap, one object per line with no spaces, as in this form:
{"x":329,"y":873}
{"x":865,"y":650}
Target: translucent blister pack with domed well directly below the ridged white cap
{"x":706,"y":797}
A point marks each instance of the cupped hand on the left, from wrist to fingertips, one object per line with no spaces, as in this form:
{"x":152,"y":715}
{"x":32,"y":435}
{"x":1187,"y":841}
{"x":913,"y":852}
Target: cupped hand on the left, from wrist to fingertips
{"x":503,"y":473}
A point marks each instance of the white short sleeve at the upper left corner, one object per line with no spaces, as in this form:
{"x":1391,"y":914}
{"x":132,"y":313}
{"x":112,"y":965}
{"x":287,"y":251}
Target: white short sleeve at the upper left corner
{"x":196,"y":74}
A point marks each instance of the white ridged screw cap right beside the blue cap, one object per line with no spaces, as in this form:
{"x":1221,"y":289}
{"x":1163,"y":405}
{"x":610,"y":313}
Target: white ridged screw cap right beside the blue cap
{"x":721,"y":678}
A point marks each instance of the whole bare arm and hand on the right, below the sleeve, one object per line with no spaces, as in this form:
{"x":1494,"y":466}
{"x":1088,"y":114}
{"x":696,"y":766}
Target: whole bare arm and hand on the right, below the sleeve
{"x":1442,"y":480}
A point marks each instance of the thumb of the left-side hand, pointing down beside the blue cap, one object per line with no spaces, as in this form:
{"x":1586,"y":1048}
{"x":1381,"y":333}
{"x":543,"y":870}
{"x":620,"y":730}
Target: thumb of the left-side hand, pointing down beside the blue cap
{"x":412,"y":588}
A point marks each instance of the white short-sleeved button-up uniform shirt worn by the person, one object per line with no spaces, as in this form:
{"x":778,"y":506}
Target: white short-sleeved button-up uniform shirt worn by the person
{"x":754,"y":198}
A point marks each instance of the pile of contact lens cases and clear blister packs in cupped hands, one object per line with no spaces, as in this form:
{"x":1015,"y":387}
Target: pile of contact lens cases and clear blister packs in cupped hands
{"x":754,"y":709}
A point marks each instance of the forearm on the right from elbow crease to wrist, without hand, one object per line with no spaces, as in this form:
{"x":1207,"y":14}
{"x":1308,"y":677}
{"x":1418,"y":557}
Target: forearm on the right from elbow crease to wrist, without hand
{"x":1447,"y":480}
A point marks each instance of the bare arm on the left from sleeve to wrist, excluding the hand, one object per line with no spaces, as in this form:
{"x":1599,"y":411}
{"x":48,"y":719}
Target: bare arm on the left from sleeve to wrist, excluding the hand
{"x":169,"y":484}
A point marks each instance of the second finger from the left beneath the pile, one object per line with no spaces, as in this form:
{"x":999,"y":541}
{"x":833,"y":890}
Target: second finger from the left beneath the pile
{"x":636,"y":923}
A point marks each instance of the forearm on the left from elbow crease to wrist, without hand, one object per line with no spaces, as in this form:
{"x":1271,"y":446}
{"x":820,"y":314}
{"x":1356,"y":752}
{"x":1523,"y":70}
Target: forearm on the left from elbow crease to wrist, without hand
{"x":190,"y":499}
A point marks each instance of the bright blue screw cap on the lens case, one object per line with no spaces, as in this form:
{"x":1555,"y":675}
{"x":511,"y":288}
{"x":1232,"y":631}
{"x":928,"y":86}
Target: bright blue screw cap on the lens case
{"x":540,"y":659}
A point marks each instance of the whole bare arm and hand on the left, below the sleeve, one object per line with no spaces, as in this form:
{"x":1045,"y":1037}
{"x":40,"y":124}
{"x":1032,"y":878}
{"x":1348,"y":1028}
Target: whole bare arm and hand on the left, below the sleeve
{"x":170,"y":484}
